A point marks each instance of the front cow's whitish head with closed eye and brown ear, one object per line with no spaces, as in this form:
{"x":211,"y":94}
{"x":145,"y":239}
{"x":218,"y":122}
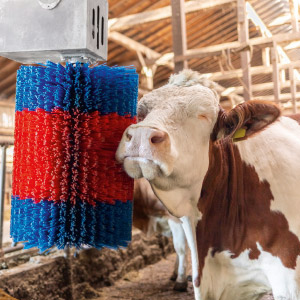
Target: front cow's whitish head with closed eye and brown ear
{"x":169,"y":146}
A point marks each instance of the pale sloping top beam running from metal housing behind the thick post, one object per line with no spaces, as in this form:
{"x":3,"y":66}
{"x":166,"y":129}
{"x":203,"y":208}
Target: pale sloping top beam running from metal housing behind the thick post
{"x":163,"y":13}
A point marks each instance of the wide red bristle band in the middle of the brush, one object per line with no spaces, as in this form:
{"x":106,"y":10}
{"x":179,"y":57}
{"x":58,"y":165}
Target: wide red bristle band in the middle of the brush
{"x":63,"y":155}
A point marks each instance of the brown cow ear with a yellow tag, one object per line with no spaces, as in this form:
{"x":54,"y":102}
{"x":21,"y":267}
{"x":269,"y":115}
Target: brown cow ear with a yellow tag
{"x":247,"y":119}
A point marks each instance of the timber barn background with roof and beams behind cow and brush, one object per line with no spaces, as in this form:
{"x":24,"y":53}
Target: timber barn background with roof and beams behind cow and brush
{"x":251,"y":49}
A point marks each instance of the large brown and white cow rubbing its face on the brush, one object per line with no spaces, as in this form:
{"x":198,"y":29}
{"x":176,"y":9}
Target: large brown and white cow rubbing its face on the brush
{"x":232,"y":178}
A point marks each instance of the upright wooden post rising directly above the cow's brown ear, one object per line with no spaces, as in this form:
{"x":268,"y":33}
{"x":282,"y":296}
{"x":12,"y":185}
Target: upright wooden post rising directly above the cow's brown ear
{"x":243,"y":31}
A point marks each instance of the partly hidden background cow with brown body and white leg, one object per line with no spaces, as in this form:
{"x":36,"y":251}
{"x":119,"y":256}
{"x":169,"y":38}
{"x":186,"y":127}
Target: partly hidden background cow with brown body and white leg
{"x":151,"y":216}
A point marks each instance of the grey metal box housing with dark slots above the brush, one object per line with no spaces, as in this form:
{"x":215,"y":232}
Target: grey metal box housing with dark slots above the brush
{"x":36,"y":31}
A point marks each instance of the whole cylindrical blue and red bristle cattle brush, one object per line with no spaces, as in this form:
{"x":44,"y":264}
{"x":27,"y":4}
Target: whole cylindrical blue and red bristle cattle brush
{"x":67,"y":188}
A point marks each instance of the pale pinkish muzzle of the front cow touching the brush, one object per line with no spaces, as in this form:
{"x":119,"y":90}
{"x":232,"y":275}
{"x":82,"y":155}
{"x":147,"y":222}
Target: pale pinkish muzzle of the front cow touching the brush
{"x":145,"y":152}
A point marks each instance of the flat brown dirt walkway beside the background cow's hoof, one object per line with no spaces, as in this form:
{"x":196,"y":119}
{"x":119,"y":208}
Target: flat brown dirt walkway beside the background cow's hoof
{"x":150,"y":283}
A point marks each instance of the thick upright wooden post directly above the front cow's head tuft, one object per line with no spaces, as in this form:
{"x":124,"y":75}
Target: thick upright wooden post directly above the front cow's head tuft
{"x":179,"y":33}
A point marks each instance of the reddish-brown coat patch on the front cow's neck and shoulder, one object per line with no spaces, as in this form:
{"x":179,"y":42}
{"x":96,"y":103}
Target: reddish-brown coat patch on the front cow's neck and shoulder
{"x":236,"y":214}
